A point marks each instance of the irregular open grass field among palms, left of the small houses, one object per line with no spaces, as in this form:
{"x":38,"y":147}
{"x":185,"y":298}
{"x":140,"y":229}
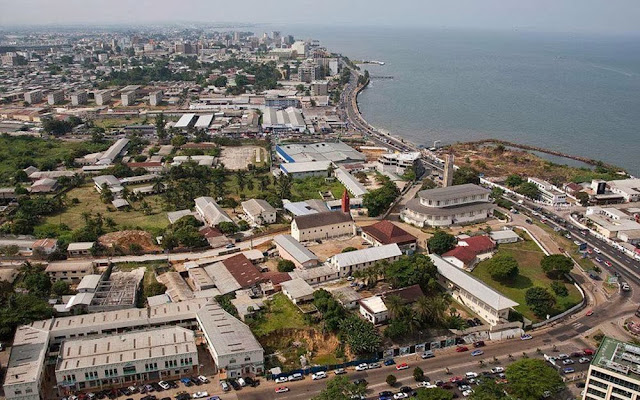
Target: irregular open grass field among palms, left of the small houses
{"x":89,"y":201}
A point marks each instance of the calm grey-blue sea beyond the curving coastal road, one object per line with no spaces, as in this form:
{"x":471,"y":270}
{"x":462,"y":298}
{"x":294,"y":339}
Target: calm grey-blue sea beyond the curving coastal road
{"x":575,"y":93}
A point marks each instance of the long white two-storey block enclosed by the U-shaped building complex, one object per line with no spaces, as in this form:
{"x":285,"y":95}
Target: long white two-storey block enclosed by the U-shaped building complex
{"x":162,"y":353}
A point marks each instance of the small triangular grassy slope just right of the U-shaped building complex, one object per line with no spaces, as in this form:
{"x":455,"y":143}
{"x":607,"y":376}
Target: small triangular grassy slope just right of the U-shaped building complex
{"x":281,"y":314}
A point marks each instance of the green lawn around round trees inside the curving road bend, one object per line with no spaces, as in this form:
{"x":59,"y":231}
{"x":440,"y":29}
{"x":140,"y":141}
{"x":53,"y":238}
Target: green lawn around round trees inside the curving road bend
{"x":528,"y":255}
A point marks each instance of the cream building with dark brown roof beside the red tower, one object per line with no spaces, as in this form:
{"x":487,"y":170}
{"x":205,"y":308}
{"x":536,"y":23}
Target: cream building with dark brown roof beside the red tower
{"x":322,"y":226}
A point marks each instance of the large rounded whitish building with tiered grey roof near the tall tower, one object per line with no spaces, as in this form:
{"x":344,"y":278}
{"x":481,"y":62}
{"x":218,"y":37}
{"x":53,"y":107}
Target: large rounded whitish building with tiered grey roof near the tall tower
{"x":460,"y":204}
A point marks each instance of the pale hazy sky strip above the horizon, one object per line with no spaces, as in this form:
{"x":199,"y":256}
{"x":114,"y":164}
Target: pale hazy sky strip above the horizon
{"x":606,"y":16}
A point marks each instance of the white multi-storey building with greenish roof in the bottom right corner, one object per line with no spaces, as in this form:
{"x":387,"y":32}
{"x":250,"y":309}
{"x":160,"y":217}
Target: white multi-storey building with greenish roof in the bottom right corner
{"x":614,"y":372}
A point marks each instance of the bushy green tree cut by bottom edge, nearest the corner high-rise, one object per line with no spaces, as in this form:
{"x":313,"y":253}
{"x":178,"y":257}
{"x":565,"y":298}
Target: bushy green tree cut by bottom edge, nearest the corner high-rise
{"x":529,"y":378}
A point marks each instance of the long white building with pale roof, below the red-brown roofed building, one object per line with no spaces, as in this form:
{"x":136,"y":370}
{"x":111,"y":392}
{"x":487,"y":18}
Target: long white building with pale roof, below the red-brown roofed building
{"x":347,"y":263}
